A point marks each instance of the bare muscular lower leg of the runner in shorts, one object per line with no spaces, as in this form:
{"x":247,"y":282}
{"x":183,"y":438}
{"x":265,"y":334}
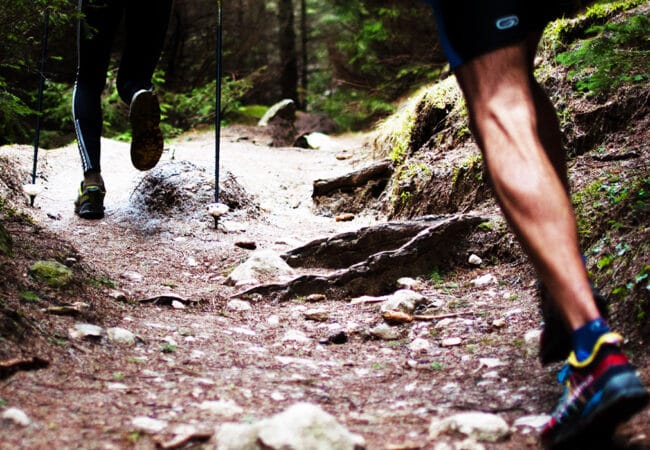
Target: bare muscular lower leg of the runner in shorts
{"x":511,"y":124}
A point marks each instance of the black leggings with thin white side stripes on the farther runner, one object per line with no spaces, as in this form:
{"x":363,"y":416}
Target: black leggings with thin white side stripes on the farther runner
{"x":146,"y":24}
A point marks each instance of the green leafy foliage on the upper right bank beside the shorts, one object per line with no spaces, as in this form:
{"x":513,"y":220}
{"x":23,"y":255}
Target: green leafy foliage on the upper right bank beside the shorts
{"x":619,"y":54}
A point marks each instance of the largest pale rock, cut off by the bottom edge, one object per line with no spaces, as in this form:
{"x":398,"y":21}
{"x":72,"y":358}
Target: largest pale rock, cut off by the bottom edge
{"x":302,"y":426}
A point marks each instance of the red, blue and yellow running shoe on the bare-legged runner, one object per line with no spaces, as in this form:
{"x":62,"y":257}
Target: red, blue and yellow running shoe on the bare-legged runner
{"x":600,"y":393}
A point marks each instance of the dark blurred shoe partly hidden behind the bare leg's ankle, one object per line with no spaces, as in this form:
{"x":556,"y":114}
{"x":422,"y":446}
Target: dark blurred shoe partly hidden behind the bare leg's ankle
{"x":555,"y":342}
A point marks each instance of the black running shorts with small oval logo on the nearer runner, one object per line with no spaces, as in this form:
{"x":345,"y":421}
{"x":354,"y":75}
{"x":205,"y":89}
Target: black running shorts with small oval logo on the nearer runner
{"x":469,"y":28}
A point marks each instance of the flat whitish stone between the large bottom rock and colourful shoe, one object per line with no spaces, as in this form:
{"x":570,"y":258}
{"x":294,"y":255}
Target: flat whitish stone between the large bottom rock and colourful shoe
{"x":476,"y":425}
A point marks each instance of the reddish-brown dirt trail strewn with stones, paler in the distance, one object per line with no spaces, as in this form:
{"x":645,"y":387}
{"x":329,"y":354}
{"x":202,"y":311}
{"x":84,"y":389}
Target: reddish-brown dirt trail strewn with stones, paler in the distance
{"x":269,"y":357}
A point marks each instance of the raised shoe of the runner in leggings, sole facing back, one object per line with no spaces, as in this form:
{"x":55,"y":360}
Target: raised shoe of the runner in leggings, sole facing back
{"x":146,"y":137}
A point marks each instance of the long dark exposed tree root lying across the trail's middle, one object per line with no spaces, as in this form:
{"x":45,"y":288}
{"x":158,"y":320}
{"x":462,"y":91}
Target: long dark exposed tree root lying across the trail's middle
{"x":409,"y":249}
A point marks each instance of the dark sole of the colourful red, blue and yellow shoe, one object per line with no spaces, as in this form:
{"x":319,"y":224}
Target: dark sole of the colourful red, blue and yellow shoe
{"x":623,"y":397}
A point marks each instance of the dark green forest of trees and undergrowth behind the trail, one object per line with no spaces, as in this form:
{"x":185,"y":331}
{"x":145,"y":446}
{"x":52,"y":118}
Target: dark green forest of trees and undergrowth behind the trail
{"x":349,"y":60}
